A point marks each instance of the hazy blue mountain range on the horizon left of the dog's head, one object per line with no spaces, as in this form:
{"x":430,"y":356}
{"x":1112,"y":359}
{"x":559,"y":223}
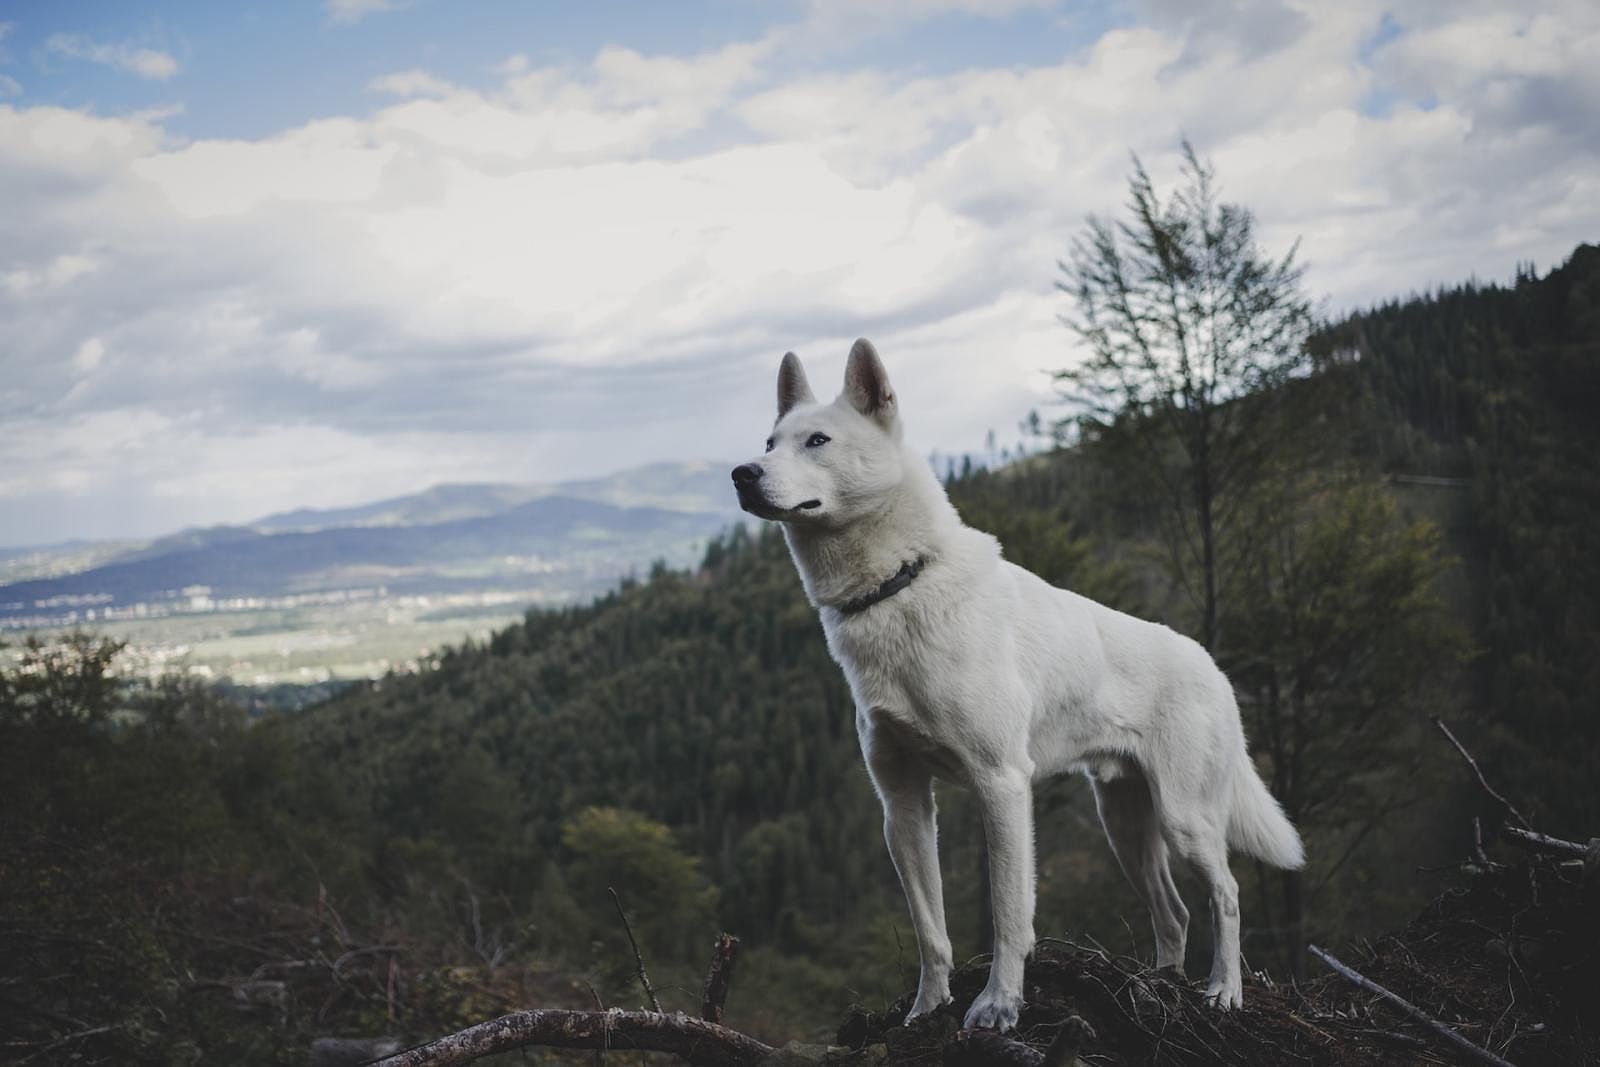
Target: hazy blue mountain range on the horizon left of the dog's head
{"x":559,"y":540}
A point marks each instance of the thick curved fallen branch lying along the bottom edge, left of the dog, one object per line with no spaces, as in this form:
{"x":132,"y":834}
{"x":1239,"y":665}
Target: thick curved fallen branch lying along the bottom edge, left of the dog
{"x":700,"y":1042}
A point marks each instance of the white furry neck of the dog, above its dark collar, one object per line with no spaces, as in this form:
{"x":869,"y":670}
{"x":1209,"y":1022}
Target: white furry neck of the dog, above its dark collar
{"x":844,"y":564}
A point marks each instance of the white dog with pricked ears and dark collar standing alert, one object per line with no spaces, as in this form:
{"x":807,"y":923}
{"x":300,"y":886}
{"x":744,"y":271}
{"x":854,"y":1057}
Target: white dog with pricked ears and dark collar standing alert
{"x":969,"y":668}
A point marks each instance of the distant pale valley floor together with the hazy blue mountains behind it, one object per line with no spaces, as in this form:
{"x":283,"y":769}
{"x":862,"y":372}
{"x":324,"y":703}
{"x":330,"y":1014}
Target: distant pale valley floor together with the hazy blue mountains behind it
{"x":322,"y":597}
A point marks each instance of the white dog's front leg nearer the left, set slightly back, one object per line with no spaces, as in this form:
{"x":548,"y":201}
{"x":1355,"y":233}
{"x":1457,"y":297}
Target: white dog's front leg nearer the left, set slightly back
{"x":911,"y":831}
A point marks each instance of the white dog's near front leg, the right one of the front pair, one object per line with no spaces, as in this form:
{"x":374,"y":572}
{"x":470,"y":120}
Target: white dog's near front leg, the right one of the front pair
{"x":1007,"y":801}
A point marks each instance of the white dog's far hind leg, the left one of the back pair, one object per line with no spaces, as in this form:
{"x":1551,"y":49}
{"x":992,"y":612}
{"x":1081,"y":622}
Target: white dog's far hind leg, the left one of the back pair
{"x":1129,"y":815}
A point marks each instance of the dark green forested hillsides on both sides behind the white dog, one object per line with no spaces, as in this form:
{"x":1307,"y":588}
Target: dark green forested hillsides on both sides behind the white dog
{"x":687,"y":741}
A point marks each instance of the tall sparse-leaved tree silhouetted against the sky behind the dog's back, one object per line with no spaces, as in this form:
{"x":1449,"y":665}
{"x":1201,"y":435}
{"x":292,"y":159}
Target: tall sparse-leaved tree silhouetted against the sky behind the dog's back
{"x":1190,"y":327}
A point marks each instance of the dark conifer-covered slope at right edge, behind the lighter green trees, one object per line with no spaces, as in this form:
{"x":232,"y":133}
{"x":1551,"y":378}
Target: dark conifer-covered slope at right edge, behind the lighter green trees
{"x":1500,"y":386}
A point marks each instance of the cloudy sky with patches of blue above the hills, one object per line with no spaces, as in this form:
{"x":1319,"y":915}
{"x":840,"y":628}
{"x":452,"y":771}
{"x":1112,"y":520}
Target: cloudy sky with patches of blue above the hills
{"x":258,"y":257}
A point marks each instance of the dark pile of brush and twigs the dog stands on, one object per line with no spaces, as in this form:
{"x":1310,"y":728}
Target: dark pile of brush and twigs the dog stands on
{"x":1508,"y":964}
